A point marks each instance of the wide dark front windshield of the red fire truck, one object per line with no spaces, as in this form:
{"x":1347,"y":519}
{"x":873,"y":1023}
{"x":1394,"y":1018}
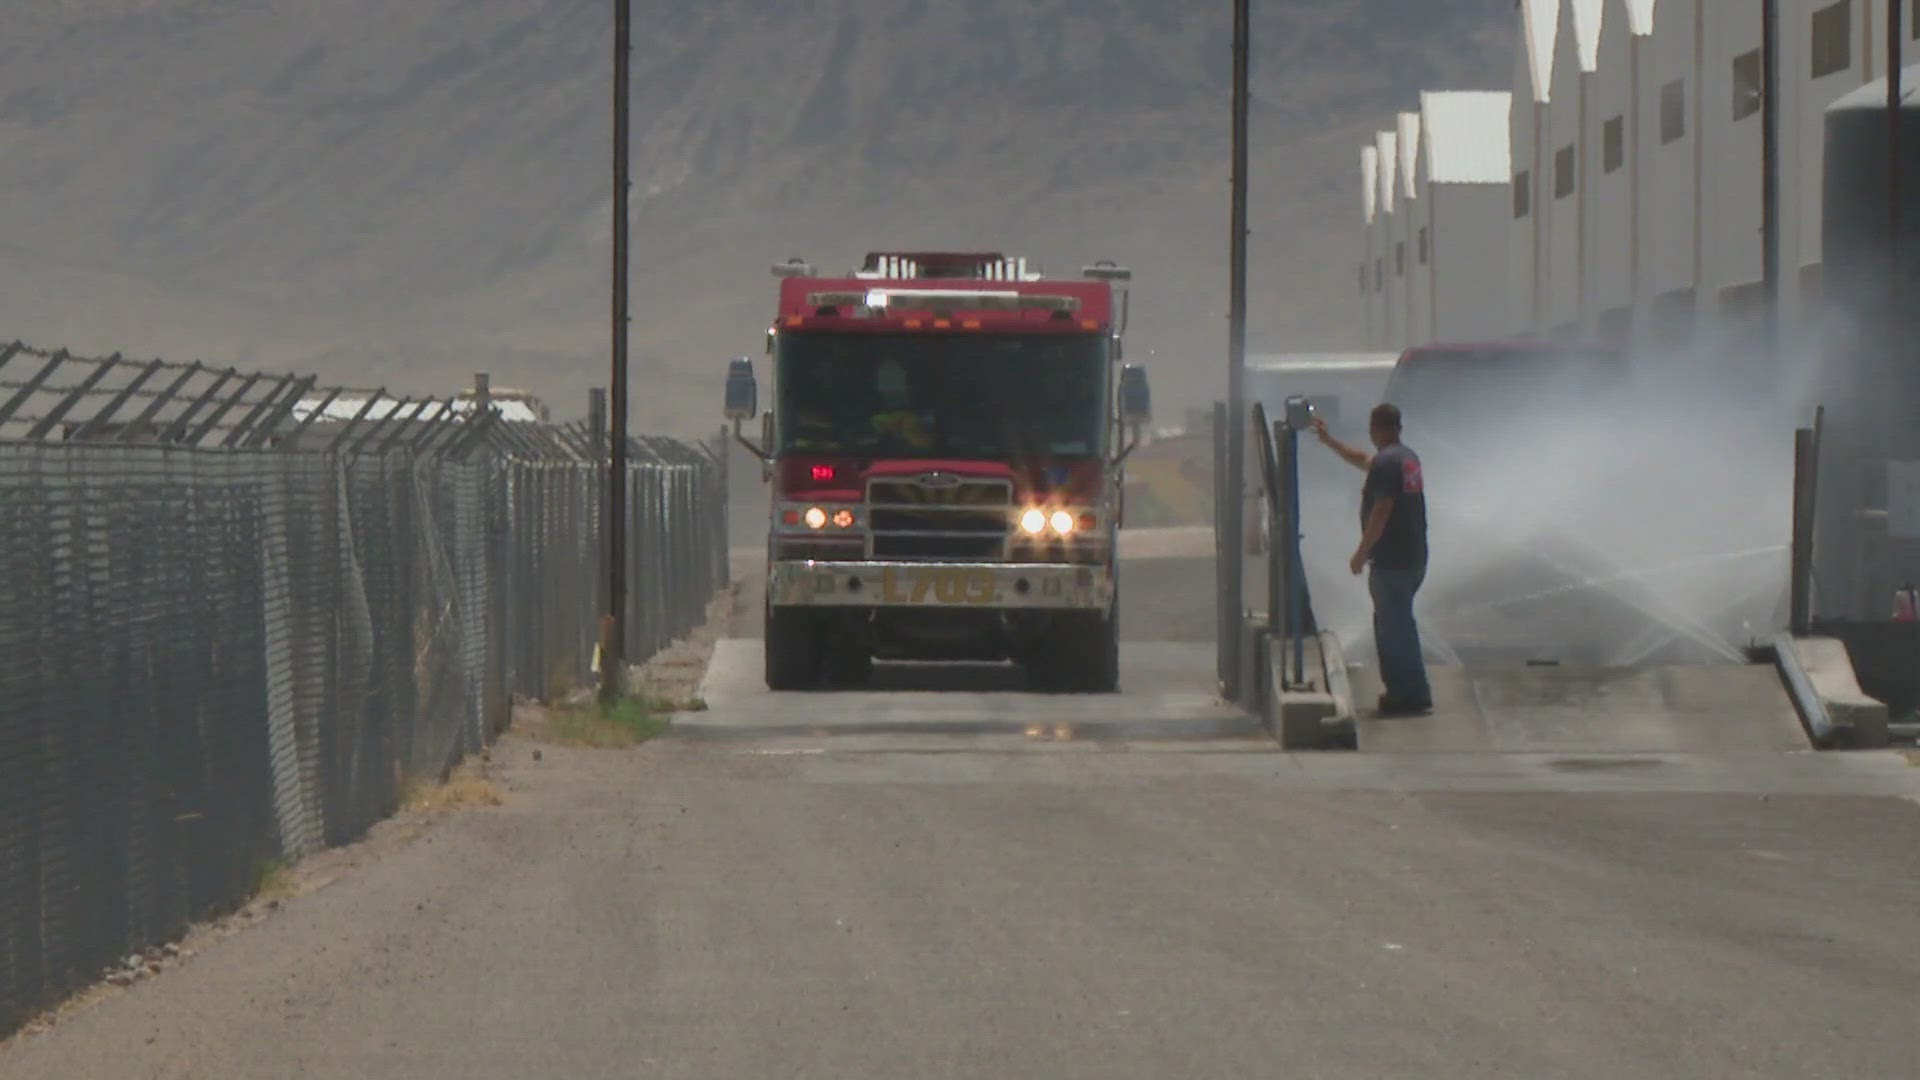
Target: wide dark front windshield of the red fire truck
{"x":984,"y":397}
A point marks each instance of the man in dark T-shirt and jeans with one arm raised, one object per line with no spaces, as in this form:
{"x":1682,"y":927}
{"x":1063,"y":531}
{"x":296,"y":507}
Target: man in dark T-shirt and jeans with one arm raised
{"x":1393,"y":520}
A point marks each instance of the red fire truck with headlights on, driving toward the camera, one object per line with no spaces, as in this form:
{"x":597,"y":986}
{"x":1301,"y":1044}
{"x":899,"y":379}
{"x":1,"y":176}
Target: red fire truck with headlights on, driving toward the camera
{"x":946,"y":454}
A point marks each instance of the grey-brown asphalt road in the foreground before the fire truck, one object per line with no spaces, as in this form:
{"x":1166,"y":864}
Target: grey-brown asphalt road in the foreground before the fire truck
{"x":1028,"y":906}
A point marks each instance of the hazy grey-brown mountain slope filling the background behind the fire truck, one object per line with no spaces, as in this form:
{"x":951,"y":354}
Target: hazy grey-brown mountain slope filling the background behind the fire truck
{"x":402,"y":195}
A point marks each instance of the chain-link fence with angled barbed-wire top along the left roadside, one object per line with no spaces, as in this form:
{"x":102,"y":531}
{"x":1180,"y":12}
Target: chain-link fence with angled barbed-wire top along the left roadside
{"x":239,"y":616}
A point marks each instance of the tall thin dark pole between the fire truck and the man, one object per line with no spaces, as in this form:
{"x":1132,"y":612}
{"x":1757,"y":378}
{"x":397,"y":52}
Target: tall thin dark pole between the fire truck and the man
{"x":1234,"y":491}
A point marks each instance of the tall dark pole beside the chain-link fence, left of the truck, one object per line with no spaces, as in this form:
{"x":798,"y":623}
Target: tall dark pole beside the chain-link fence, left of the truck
{"x":613,"y":627}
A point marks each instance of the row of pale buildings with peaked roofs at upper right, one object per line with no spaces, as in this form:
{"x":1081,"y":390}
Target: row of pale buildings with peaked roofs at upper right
{"x":1633,"y":205}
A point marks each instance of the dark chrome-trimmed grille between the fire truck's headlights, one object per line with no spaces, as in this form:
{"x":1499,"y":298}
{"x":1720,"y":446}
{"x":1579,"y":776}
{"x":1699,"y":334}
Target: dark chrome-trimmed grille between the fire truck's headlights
{"x":955,"y":520}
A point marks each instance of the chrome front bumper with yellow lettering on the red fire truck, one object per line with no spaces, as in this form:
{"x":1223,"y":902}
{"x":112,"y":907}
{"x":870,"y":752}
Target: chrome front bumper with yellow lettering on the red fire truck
{"x":980,"y":587}
